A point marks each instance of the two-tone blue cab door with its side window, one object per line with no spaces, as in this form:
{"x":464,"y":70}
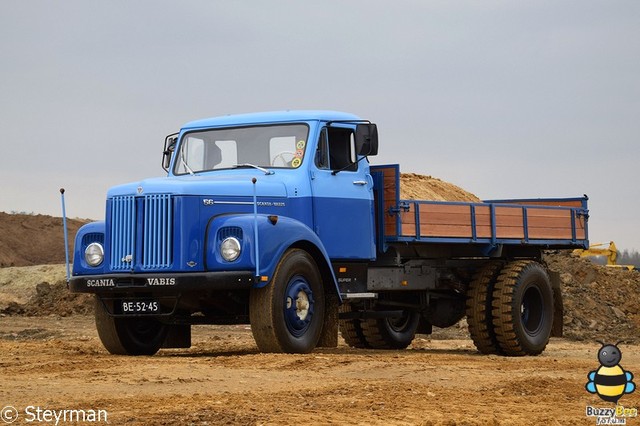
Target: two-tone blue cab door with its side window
{"x":342,"y":190}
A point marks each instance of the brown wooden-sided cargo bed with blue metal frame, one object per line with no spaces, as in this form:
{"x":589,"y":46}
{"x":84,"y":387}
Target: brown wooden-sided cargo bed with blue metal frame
{"x":553,"y":223}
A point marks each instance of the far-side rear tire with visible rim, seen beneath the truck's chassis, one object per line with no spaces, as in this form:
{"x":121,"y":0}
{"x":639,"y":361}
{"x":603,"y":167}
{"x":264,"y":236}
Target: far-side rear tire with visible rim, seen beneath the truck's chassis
{"x":391,"y":333}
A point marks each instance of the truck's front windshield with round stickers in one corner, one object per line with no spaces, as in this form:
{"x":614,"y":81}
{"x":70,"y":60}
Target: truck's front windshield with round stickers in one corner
{"x":281,"y":146}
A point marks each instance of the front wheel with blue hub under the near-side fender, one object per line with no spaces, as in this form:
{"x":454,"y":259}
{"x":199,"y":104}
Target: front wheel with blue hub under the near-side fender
{"x":287,"y":315}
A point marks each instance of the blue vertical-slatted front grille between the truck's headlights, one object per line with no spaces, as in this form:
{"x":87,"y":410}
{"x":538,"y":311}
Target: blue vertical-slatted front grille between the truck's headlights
{"x":155,"y":215}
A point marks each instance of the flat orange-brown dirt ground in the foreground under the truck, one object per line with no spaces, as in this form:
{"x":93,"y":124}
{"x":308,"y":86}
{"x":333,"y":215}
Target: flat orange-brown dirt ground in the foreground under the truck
{"x":57,"y":363}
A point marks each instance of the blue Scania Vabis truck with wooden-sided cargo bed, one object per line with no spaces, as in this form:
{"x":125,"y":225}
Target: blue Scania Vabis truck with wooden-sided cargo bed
{"x":278,"y":220}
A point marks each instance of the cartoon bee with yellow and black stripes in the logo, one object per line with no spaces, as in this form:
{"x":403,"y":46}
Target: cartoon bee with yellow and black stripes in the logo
{"x":610,"y":381}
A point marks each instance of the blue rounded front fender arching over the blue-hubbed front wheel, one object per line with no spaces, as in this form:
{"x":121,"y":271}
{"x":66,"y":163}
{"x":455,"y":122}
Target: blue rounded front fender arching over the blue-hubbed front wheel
{"x":275,"y":235}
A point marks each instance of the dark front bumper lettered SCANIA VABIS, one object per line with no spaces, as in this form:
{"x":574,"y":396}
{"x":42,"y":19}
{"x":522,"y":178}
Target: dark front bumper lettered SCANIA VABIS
{"x":167,"y":283}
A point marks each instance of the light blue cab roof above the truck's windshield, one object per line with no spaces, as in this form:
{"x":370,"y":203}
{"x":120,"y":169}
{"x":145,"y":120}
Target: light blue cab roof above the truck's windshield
{"x":271,"y":117}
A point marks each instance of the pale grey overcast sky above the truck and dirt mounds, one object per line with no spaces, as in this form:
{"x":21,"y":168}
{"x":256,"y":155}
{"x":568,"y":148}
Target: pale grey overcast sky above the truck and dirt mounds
{"x":507,"y":99}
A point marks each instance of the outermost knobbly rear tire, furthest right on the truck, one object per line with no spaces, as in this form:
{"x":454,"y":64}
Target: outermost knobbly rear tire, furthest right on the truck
{"x":523,"y":308}
